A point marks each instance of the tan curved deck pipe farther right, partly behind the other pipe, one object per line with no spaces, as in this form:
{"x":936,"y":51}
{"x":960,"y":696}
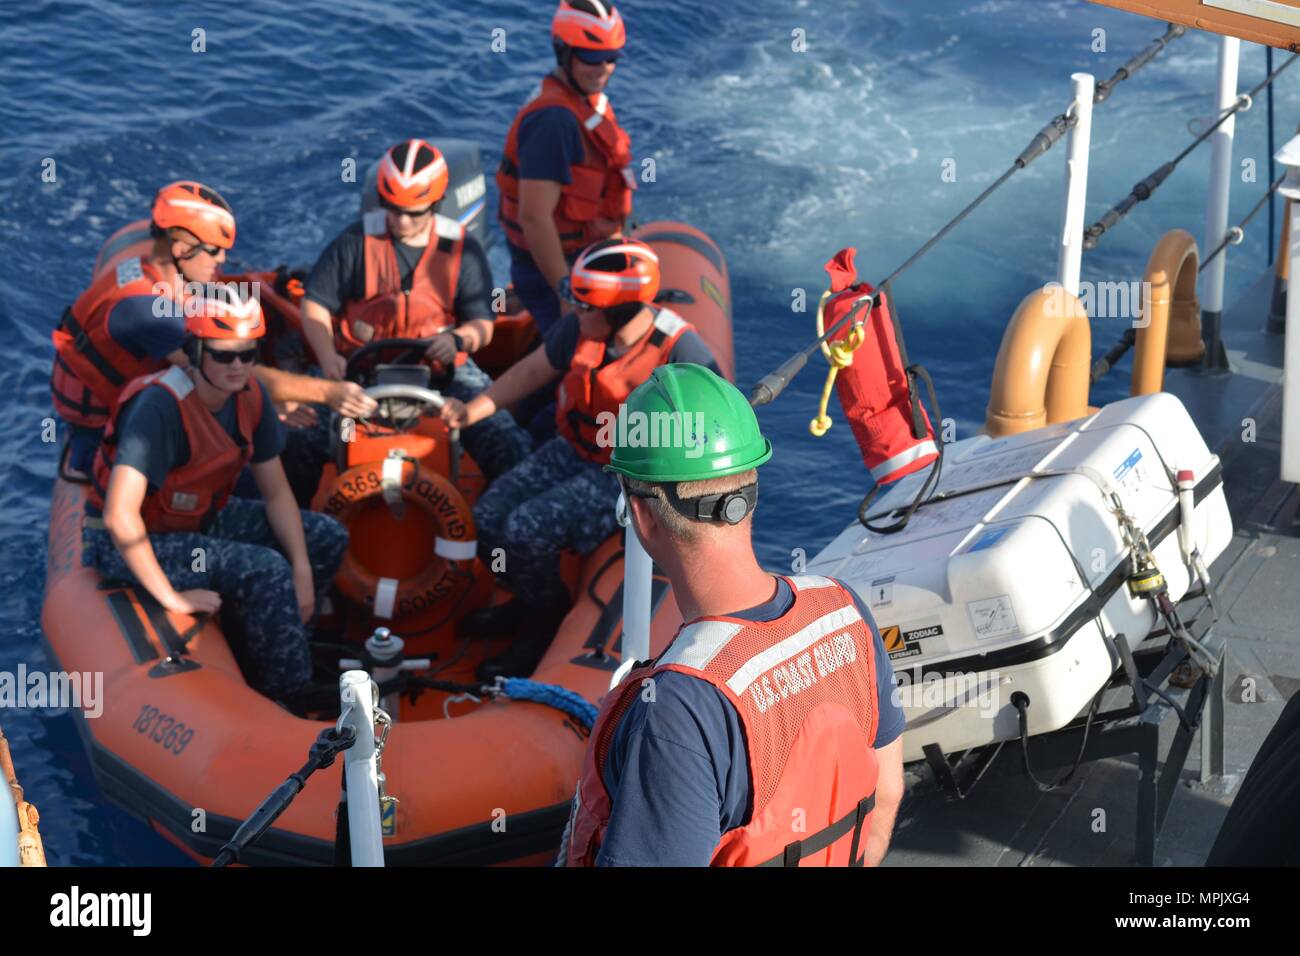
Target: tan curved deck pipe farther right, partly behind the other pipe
{"x":1172,"y":334}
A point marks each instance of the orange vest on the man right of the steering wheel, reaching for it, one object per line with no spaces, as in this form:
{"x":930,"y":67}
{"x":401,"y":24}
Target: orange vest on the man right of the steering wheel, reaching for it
{"x":590,"y":392}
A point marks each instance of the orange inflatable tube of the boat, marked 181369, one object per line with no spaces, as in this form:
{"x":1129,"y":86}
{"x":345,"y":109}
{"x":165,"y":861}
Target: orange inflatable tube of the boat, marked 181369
{"x":175,"y":739}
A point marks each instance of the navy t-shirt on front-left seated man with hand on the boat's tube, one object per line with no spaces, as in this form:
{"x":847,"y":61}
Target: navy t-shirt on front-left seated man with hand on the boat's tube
{"x":151,"y":439}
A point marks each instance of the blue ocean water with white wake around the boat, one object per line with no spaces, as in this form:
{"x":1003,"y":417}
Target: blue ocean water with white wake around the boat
{"x":783,"y":155}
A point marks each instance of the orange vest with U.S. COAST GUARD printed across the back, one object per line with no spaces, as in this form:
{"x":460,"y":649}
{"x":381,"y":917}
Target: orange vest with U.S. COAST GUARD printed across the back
{"x":805,"y":689}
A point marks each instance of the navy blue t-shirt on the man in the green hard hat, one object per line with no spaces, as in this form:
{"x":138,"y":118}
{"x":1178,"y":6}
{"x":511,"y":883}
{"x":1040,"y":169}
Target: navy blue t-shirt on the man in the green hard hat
{"x":678,"y":772}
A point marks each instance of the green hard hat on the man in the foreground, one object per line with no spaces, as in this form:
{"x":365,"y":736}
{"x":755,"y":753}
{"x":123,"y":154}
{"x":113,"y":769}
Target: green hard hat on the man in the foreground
{"x":686,"y":423}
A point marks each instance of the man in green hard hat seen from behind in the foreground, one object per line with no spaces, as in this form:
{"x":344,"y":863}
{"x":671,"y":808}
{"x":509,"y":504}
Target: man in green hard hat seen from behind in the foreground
{"x":766,"y":733}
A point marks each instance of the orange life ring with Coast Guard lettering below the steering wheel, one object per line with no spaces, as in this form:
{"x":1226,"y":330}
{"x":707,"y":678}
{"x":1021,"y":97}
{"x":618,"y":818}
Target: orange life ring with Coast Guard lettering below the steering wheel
{"x":448,"y":561}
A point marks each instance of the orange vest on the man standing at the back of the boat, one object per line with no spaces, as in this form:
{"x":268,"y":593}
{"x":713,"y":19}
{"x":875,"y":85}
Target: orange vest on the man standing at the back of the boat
{"x":601,"y":185}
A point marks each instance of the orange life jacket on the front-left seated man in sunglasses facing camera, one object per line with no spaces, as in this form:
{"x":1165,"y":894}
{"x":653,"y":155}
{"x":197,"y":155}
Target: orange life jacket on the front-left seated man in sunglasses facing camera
{"x":194,"y":492}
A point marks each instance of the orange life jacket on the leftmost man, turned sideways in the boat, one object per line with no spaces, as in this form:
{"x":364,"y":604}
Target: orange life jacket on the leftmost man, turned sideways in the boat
{"x":90,"y":367}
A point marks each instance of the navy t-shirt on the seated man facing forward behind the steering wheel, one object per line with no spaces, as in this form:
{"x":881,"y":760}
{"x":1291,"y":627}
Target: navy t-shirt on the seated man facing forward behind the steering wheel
{"x":339,"y":276}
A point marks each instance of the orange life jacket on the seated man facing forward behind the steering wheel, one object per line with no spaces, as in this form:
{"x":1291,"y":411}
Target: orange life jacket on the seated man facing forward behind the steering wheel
{"x":392,"y":312}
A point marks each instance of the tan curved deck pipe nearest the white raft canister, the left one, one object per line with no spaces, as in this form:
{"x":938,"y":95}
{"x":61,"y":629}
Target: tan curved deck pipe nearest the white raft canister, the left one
{"x":1043,"y":365}
